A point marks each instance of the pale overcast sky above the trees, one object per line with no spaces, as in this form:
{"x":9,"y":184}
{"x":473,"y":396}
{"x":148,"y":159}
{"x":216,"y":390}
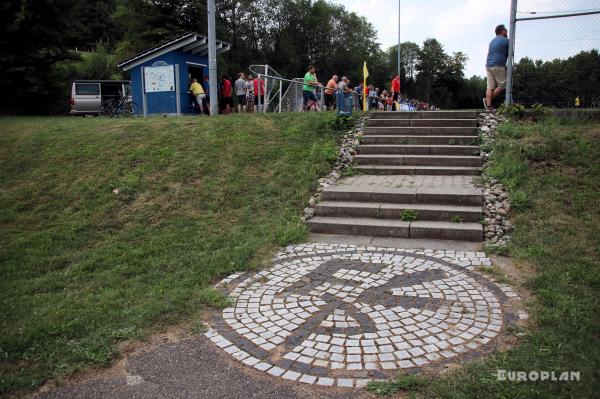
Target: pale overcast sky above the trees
{"x":468,"y":26}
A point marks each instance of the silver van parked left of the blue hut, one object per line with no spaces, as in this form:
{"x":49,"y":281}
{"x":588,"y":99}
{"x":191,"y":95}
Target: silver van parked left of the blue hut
{"x":88,"y":96}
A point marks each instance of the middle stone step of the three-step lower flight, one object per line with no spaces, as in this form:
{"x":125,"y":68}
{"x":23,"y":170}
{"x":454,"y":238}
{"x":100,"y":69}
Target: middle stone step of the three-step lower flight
{"x":384,"y":210}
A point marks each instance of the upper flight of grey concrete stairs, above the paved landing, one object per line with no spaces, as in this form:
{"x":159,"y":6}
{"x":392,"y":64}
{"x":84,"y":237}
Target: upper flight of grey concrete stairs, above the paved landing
{"x":420,"y":143}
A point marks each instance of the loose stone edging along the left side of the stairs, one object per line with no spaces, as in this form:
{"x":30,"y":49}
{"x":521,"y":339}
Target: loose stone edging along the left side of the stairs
{"x":350,"y":142}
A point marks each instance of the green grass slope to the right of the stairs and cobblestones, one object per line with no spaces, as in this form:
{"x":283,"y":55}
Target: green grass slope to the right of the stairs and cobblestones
{"x":552,"y":171}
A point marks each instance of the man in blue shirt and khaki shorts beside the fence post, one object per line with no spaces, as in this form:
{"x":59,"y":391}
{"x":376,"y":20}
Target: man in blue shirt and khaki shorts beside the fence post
{"x":495,"y":66}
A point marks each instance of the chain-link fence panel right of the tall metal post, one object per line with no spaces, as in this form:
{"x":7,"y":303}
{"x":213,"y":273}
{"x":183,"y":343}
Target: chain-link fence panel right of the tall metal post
{"x":557,"y":59}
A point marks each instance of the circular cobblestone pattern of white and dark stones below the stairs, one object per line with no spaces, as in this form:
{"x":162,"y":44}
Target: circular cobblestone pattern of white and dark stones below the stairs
{"x":340,"y":315}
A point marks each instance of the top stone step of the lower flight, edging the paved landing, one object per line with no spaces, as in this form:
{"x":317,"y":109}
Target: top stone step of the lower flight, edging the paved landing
{"x":417,"y":195}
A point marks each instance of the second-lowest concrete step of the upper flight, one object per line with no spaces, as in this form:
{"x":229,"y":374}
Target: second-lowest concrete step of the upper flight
{"x":416,"y":160}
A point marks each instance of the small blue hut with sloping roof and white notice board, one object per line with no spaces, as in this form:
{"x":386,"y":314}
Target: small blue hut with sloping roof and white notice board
{"x":161,"y":76}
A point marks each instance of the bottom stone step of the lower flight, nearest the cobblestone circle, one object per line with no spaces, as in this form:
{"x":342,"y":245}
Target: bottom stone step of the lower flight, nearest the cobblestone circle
{"x":397,"y":228}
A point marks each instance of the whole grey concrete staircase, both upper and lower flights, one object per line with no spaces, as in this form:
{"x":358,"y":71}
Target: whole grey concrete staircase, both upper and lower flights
{"x":440,"y":143}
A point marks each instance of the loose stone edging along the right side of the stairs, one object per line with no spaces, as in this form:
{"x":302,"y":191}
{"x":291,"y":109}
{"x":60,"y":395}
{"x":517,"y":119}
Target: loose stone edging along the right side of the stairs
{"x":497,"y":227}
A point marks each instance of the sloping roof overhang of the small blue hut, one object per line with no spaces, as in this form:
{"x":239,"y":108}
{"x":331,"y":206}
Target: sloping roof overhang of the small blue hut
{"x":192,"y":43}
